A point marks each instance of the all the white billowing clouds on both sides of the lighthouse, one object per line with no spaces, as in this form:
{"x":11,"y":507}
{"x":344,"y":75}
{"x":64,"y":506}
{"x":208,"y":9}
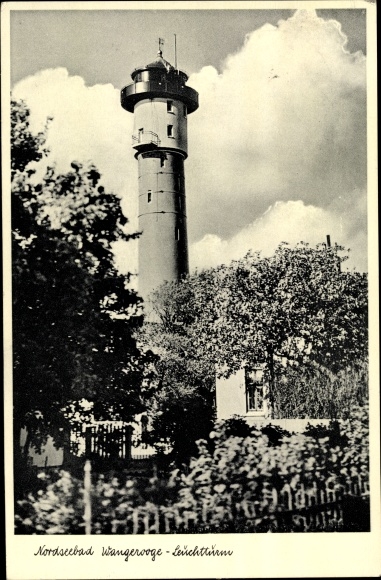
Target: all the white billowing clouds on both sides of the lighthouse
{"x":277,"y":149}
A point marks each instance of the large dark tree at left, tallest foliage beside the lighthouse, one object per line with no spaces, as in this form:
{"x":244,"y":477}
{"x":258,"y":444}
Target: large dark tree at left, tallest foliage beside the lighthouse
{"x":73,"y":314}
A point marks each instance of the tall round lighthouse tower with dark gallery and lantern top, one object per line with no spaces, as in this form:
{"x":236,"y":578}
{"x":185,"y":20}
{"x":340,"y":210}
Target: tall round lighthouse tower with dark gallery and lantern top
{"x":161,"y":102}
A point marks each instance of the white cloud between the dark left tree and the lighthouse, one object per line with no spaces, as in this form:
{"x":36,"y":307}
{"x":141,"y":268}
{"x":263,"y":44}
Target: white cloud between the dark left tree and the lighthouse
{"x":88,"y":125}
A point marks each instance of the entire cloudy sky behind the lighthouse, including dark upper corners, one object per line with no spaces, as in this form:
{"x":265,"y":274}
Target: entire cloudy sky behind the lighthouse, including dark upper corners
{"x":277,"y":148}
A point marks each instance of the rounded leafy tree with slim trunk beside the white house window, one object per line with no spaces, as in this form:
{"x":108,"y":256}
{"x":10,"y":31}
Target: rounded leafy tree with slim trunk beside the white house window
{"x":295,"y":308}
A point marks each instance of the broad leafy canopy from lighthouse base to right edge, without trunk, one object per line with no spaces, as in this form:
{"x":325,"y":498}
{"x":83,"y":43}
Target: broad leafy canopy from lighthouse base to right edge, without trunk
{"x":296,"y":306}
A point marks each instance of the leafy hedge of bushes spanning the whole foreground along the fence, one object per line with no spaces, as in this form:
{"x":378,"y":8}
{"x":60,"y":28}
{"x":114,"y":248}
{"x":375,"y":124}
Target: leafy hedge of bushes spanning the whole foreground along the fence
{"x":235,"y":484}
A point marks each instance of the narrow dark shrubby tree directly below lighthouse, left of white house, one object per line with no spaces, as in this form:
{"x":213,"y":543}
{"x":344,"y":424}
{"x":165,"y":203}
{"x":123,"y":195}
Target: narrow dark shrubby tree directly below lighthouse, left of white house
{"x":180,"y":391}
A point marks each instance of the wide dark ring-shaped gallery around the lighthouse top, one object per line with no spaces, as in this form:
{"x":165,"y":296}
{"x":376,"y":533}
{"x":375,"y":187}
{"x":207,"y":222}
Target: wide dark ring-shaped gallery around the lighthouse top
{"x":167,"y":89}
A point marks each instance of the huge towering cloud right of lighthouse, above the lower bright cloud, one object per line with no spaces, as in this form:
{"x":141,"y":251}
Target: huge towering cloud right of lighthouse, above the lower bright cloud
{"x":286,"y":119}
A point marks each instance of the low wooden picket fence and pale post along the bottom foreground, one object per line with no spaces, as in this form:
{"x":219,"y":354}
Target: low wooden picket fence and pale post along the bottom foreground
{"x":307,"y":508}
